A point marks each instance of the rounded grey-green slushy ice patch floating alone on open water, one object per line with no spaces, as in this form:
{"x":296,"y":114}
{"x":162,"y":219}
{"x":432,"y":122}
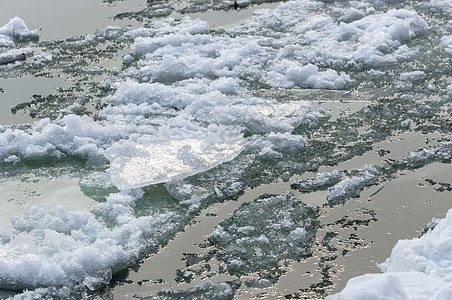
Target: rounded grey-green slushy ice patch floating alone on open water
{"x":263,"y":233}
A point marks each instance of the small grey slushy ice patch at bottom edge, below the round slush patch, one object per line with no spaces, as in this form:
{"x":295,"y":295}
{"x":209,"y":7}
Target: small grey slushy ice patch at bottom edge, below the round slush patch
{"x":206,"y":290}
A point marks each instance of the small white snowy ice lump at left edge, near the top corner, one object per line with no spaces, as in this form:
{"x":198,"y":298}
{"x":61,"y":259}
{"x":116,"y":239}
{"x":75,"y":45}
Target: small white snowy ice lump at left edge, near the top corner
{"x":16,"y":31}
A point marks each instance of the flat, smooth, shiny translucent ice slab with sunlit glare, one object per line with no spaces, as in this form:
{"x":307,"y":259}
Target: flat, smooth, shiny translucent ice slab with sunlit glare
{"x":135,"y":165}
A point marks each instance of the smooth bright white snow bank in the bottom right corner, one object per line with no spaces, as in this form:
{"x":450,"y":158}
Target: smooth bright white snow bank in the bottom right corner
{"x":424,"y":260}
